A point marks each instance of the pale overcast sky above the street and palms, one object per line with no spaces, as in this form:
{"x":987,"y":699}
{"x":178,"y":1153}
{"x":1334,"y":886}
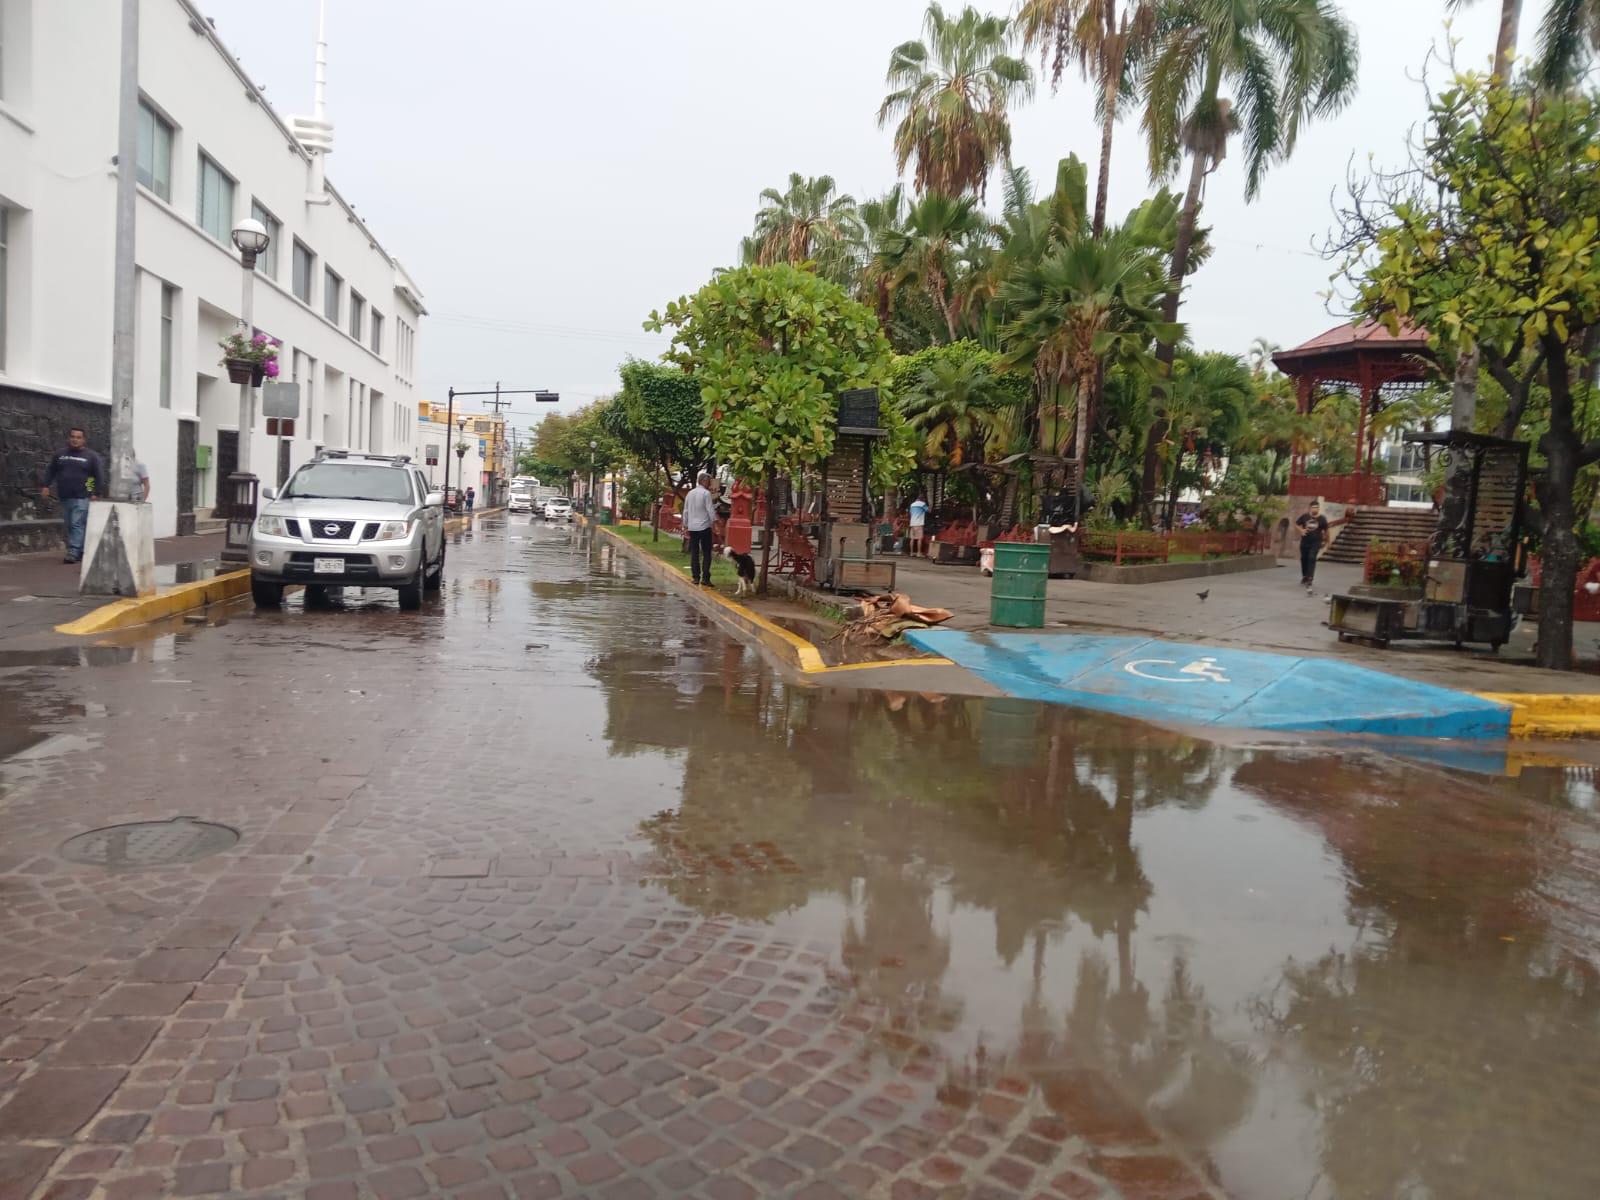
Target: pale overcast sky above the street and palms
{"x":553,"y":172}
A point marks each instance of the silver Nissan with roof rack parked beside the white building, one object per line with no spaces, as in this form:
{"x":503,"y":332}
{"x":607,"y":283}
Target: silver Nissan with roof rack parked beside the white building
{"x":350,"y":521}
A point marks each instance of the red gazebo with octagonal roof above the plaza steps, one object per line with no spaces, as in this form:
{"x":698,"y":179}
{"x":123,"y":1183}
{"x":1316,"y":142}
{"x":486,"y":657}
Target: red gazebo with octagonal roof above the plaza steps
{"x":1354,"y":358}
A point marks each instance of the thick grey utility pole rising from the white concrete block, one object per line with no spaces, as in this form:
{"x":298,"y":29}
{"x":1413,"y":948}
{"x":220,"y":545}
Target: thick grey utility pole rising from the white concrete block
{"x":122,"y":486}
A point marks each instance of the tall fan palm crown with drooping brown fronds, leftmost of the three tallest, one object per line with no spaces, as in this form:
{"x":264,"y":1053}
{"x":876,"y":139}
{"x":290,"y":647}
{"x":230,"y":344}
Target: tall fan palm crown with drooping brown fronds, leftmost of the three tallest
{"x":951,"y":95}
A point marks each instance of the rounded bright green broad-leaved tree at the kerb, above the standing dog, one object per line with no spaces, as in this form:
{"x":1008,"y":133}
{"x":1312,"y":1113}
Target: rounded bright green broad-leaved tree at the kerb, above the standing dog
{"x":772,"y":350}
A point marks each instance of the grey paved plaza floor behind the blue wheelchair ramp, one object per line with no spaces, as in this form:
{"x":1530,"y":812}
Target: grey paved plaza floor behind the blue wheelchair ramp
{"x":1257,"y":610}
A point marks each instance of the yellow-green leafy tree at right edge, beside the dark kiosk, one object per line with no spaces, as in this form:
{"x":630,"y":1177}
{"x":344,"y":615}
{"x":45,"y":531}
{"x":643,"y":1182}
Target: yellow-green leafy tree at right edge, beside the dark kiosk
{"x":1494,"y":242}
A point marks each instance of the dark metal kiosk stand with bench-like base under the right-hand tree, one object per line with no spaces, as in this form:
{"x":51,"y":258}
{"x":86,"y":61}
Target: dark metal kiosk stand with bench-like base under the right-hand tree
{"x":1473,"y":558}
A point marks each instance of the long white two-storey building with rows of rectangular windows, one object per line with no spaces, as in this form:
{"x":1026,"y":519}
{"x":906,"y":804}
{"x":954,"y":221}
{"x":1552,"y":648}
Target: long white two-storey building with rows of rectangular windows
{"x":212,"y":151}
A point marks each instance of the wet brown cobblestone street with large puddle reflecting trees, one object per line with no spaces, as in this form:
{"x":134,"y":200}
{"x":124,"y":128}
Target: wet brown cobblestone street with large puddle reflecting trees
{"x":556,"y":890}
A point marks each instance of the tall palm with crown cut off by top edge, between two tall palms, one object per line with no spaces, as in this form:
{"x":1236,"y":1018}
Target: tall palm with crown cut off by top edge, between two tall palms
{"x":1103,"y":41}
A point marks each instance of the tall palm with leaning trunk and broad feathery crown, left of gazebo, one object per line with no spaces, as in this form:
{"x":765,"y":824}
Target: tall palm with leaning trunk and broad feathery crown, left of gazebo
{"x":1286,"y":62}
